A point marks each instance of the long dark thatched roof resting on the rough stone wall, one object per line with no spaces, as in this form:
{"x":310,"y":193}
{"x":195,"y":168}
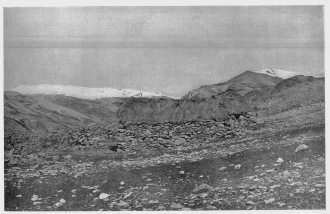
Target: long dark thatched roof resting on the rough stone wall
{"x":153,"y":111}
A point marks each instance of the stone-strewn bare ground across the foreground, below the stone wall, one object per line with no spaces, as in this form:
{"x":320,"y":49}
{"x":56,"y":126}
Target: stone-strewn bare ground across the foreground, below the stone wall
{"x":242,"y":174}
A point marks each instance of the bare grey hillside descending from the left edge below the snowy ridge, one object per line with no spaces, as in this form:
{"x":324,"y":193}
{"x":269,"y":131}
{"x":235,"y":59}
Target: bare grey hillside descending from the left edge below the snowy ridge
{"x":25,"y":114}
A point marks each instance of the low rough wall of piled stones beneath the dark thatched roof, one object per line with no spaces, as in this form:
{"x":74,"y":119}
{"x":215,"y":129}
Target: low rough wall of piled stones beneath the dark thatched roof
{"x":131,"y":136}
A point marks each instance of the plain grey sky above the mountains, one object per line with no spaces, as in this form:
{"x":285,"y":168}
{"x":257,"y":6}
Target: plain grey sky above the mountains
{"x":171,"y":50}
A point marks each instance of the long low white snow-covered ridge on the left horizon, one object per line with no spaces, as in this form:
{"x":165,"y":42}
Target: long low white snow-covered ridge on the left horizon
{"x":83,"y":92}
